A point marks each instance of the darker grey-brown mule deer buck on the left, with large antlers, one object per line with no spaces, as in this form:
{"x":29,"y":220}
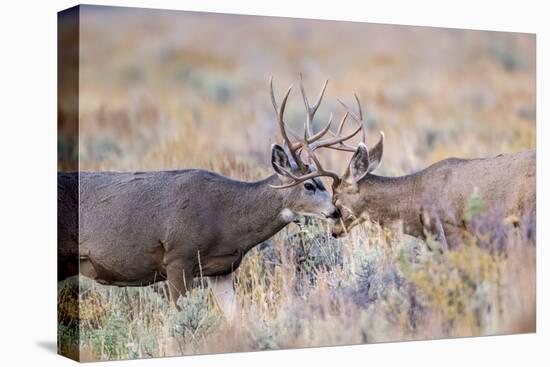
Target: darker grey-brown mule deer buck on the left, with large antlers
{"x":139,"y":228}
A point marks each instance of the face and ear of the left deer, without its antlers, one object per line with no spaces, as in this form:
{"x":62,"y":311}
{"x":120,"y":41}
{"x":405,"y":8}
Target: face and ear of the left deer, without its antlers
{"x":308,"y":197}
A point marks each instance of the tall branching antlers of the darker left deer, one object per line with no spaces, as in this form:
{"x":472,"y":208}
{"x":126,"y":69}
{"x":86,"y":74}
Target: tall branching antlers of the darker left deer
{"x":309,"y":138}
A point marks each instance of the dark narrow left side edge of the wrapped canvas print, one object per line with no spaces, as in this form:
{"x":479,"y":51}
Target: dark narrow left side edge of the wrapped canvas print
{"x":67,"y":183}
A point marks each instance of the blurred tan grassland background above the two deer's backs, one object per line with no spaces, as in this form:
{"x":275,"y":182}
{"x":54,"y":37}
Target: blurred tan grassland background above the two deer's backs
{"x":173,"y":89}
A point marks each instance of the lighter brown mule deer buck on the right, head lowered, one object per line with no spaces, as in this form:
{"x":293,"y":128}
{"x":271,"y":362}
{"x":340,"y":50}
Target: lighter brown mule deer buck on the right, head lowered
{"x":433,"y":200}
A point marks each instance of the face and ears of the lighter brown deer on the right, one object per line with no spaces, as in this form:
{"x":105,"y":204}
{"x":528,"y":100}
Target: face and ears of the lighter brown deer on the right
{"x":347,"y":195}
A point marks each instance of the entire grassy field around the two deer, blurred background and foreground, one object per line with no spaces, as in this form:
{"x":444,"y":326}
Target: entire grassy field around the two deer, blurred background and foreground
{"x":164,"y":90}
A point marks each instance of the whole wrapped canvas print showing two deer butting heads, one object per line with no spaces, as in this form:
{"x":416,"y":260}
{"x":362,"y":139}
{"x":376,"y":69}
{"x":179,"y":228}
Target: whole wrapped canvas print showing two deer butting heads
{"x":232,"y":183}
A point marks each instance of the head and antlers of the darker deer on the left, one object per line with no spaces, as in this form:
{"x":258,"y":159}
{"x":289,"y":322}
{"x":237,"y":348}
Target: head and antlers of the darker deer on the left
{"x":299,"y":177}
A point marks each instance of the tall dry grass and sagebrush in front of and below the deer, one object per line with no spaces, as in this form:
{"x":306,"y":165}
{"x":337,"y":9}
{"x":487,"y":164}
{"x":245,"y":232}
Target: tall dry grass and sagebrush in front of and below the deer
{"x":305,"y":289}
